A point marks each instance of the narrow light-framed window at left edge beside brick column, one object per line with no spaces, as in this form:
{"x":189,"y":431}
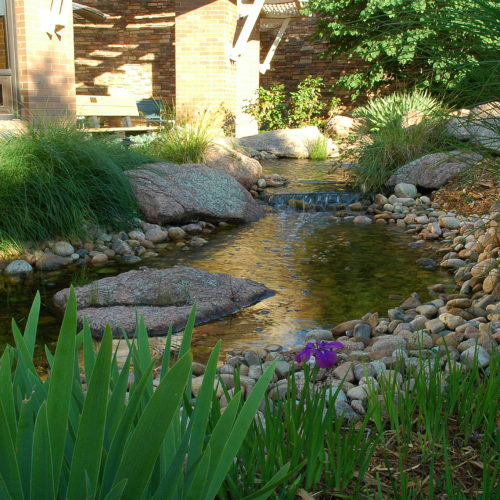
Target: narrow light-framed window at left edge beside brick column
{"x":7,"y":59}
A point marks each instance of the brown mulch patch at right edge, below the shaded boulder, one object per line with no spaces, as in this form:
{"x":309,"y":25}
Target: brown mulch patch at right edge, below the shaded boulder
{"x":473,"y":191}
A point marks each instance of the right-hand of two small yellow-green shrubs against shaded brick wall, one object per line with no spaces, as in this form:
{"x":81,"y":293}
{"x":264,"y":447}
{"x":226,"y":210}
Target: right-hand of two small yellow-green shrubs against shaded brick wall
{"x":305,"y":104}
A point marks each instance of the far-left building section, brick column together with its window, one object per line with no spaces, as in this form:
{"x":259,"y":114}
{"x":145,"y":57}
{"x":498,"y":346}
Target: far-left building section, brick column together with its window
{"x":37,"y":72}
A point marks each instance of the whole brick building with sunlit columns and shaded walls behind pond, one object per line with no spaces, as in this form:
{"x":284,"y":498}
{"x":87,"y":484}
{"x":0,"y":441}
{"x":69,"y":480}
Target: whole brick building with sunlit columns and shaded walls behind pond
{"x":191,"y":53}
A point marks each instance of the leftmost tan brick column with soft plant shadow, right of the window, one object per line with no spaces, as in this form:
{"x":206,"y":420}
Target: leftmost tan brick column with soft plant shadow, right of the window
{"x":45,"y":62}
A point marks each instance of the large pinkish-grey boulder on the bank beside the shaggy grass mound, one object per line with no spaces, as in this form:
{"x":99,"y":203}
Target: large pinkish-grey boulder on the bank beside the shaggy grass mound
{"x":171,"y":193}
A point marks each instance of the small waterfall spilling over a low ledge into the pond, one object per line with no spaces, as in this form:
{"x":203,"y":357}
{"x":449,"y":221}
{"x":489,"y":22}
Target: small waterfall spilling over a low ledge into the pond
{"x":322,"y":200}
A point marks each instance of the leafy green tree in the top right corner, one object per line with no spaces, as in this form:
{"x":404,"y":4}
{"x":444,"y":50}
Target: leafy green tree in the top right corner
{"x":447,"y":46}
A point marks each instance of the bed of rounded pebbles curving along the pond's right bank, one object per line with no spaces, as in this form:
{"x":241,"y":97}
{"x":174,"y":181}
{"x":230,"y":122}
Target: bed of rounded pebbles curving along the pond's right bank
{"x":453,"y":328}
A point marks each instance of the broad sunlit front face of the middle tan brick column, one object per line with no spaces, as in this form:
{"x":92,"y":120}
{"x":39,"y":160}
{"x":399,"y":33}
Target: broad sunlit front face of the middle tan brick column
{"x":205,"y":77}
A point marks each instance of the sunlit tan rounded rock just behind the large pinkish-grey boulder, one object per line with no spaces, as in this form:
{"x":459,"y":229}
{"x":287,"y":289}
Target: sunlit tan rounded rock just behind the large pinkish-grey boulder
{"x":223,"y":157}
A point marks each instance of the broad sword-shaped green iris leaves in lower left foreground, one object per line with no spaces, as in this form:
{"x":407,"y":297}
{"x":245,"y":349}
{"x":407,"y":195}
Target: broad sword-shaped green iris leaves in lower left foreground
{"x":59,"y":441}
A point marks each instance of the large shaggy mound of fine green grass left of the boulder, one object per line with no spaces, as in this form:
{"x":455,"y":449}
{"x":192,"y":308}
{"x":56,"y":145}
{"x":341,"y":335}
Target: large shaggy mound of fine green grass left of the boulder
{"x":54,"y":180}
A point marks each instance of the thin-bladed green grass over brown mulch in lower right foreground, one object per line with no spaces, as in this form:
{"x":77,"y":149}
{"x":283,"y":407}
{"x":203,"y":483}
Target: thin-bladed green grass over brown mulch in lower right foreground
{"x":433,"y":435}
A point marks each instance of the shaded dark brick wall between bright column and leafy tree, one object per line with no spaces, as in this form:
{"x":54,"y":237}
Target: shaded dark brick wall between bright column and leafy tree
{"x":297,"y":57}
